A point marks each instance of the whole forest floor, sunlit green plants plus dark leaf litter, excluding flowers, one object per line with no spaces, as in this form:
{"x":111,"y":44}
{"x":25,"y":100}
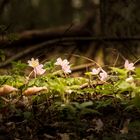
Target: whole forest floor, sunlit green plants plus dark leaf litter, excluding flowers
{"x":101,"y":111}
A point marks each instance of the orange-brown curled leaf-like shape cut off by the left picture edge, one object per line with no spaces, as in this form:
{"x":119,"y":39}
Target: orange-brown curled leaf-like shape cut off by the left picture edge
{"x":6,"y":89}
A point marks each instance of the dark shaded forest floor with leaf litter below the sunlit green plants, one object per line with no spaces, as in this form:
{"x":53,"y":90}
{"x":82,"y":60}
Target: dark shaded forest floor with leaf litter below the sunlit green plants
{"x":85,"y":118}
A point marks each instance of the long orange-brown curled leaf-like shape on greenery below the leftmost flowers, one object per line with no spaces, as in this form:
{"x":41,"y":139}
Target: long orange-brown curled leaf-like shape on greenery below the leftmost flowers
{"x":34,"y":90}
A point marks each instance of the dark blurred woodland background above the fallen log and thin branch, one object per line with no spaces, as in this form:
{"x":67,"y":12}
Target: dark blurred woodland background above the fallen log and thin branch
{"x":116,"y":17}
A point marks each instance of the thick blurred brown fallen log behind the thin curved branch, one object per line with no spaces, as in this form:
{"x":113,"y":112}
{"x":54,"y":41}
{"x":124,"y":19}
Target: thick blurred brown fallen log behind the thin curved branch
{"x":38,"y":36}
